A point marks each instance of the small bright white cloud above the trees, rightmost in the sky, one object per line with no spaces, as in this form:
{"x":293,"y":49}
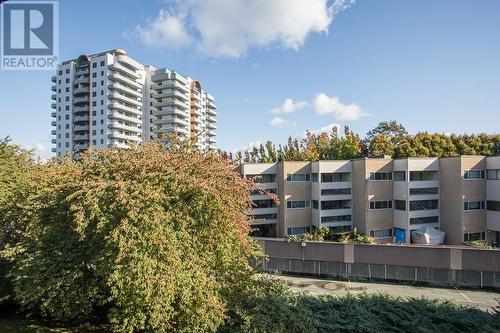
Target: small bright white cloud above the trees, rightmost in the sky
{"x":323,"y":104}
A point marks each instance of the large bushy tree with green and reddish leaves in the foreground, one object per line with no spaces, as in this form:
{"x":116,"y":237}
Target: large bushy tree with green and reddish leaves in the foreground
{"x":155,"y":236}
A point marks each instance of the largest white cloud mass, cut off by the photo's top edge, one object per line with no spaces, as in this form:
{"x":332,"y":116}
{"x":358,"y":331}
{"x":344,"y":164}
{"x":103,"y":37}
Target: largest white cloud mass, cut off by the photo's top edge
{"x":222,"y":28}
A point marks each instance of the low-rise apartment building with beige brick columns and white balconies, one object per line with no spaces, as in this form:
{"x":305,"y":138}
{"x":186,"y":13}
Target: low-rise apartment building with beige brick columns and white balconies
{"x":382,"y":197}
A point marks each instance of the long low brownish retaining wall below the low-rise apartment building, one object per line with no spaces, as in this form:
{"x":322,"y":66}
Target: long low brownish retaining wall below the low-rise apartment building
{"x":438,"y":265}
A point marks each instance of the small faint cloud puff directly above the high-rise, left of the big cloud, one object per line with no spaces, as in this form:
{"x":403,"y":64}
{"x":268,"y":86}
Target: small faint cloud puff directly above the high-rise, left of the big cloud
{"x":166,"y":31}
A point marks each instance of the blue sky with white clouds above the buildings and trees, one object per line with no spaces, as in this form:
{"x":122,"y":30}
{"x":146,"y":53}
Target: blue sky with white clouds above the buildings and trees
{"x":432,"y":65}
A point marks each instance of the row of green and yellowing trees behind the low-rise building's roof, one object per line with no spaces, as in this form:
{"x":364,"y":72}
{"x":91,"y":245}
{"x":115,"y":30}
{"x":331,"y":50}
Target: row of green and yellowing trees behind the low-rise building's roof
{"x":387,"y":138}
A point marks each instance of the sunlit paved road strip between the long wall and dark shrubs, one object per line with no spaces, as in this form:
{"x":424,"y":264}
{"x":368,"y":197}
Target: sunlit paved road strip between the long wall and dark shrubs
{"x":483,"y":299}
